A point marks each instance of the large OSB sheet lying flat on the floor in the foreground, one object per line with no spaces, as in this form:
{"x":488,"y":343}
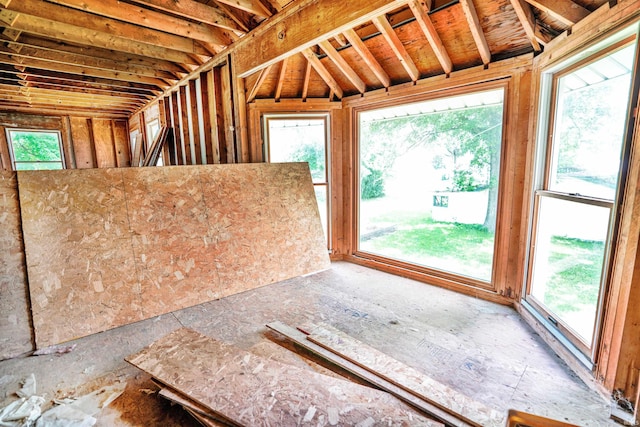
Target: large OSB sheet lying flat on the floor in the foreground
{"x":252,"y":390}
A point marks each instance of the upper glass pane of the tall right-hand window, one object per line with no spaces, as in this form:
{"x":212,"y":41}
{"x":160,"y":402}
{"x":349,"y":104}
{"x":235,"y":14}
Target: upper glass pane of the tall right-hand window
{"x":589,"y":126}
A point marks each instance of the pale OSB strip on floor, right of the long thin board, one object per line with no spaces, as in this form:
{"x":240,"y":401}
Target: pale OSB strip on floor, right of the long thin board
{"x":406,"y":377}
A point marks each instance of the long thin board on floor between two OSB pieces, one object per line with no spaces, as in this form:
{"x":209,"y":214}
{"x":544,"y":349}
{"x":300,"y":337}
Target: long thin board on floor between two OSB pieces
{"x":300,"y":338}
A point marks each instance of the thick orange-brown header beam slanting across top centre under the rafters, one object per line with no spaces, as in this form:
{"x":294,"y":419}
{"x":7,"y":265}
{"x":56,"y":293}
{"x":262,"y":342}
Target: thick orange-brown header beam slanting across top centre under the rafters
{"x":301,"y":26}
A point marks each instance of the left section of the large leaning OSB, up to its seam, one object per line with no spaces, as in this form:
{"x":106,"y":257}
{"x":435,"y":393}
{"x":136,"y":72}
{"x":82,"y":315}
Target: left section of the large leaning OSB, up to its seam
{"x":79,"y":257}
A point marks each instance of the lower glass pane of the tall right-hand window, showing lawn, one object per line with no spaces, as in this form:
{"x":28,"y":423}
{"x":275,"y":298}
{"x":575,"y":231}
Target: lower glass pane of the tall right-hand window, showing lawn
{"x":568,"y":261}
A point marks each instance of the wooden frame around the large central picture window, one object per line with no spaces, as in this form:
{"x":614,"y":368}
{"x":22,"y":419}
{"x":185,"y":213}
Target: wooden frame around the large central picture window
{"x":442,"y":277}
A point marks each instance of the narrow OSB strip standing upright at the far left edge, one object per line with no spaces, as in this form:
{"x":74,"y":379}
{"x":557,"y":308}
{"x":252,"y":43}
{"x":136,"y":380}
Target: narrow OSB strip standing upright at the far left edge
{"x":15,"y":330}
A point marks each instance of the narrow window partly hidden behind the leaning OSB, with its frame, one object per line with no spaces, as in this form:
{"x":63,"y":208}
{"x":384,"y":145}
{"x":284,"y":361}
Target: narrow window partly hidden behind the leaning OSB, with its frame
{"x":303,"y":139}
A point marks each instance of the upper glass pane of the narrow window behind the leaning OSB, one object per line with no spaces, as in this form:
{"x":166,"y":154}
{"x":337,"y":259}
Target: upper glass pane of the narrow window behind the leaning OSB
{"x":299,"y":140}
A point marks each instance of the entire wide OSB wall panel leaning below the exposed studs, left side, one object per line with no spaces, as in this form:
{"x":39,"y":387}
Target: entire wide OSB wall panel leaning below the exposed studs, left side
{"x":107,"y":247}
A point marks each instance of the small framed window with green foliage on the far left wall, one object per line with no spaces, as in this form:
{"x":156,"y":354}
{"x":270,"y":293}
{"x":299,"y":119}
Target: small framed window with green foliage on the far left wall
{"x":35,"y":149}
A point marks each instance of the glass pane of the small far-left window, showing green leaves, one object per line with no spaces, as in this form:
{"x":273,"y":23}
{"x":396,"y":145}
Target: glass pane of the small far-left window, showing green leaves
{"x":35,"y":146}
